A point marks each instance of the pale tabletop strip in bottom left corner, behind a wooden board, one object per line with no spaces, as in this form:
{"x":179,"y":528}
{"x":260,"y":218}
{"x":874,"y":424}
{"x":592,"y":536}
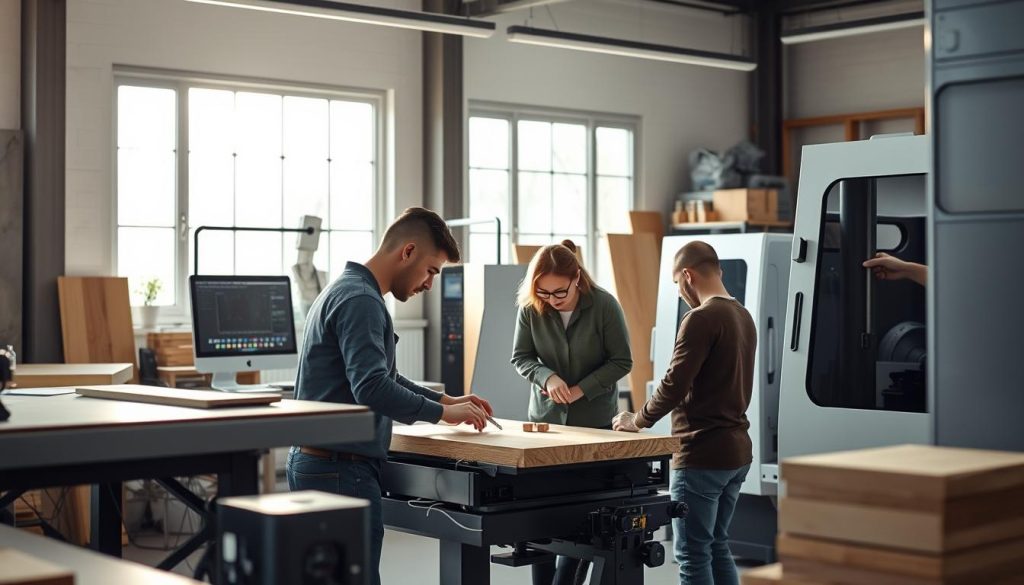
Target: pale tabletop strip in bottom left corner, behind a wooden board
{"x":91,"y":568}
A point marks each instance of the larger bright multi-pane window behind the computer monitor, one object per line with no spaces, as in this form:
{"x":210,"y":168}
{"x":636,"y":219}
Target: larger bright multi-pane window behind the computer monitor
{"x":193,"y":153}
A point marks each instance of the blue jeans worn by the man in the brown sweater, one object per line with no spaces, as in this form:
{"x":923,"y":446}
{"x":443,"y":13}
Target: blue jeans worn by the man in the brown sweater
{"x":702,"y":539}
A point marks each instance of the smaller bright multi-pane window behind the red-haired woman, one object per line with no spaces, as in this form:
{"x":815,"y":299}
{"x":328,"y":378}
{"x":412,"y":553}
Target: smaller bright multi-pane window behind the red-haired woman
{"x":549,"y":178}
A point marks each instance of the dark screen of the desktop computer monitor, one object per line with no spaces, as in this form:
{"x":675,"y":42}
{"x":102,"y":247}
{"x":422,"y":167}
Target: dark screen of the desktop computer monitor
{"x":242,"y":316}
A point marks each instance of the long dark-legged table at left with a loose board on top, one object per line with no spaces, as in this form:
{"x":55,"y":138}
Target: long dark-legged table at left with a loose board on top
{"x":70,"y":440}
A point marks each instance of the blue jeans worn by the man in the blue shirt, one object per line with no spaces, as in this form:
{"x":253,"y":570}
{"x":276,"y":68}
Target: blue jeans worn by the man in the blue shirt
{"x":355,"y":479}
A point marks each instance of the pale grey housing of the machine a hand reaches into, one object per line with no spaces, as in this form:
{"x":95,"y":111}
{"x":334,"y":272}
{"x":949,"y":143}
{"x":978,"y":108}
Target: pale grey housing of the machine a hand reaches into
{"x":895,"y":169}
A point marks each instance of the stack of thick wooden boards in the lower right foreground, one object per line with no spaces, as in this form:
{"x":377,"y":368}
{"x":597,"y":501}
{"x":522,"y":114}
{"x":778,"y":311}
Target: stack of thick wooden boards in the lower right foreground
{"x":903,"y":516}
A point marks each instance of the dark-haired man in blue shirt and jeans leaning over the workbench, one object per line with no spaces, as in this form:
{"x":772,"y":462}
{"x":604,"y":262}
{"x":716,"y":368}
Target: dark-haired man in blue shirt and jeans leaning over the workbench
{"x":349,"y":357}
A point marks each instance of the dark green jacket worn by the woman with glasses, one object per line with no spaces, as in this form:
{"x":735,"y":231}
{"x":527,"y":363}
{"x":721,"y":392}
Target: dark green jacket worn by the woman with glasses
{"x":593,"y":353}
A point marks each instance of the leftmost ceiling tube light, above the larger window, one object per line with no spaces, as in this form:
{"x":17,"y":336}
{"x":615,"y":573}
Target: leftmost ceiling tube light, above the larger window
{"x":428,"y":22}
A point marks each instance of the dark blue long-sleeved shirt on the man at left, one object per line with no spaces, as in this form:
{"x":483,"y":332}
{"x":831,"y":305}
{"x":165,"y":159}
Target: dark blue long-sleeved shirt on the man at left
{"x":349,"y":357}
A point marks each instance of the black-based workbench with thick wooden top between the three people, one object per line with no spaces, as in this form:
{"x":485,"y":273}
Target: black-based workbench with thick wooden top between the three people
{"x":590,"y":494}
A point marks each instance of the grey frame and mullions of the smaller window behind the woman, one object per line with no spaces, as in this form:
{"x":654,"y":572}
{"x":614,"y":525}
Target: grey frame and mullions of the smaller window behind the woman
{"x":592,"y":120}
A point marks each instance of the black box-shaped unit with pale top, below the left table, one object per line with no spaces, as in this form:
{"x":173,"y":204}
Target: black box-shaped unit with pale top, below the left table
{"x":298,"y":538}
